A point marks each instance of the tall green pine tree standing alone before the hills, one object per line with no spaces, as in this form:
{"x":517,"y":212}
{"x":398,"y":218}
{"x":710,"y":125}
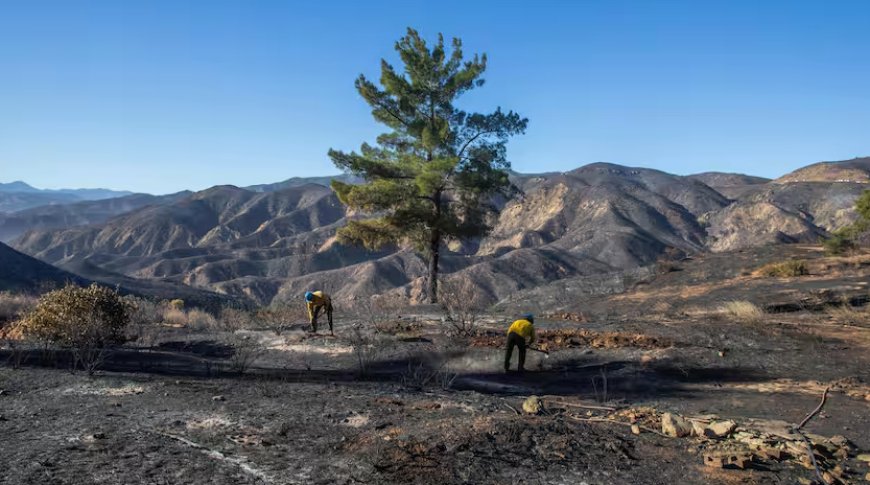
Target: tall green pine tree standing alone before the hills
{"x":433,"y":177}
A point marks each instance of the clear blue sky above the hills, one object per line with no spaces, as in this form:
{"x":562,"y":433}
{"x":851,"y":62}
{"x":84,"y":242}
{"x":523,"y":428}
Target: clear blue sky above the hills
{"x":159,"y":96}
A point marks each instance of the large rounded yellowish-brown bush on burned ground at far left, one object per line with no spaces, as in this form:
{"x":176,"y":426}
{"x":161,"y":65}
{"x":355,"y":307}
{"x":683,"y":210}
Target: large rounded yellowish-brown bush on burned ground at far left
{"x":86,"y":320}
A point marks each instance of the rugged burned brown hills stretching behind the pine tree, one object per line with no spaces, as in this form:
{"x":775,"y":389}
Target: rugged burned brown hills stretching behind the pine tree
{"x":272,"y":242}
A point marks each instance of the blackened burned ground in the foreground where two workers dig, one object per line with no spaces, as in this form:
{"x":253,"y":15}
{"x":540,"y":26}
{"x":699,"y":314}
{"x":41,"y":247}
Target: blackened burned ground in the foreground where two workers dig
{"x":681,"y":396}
